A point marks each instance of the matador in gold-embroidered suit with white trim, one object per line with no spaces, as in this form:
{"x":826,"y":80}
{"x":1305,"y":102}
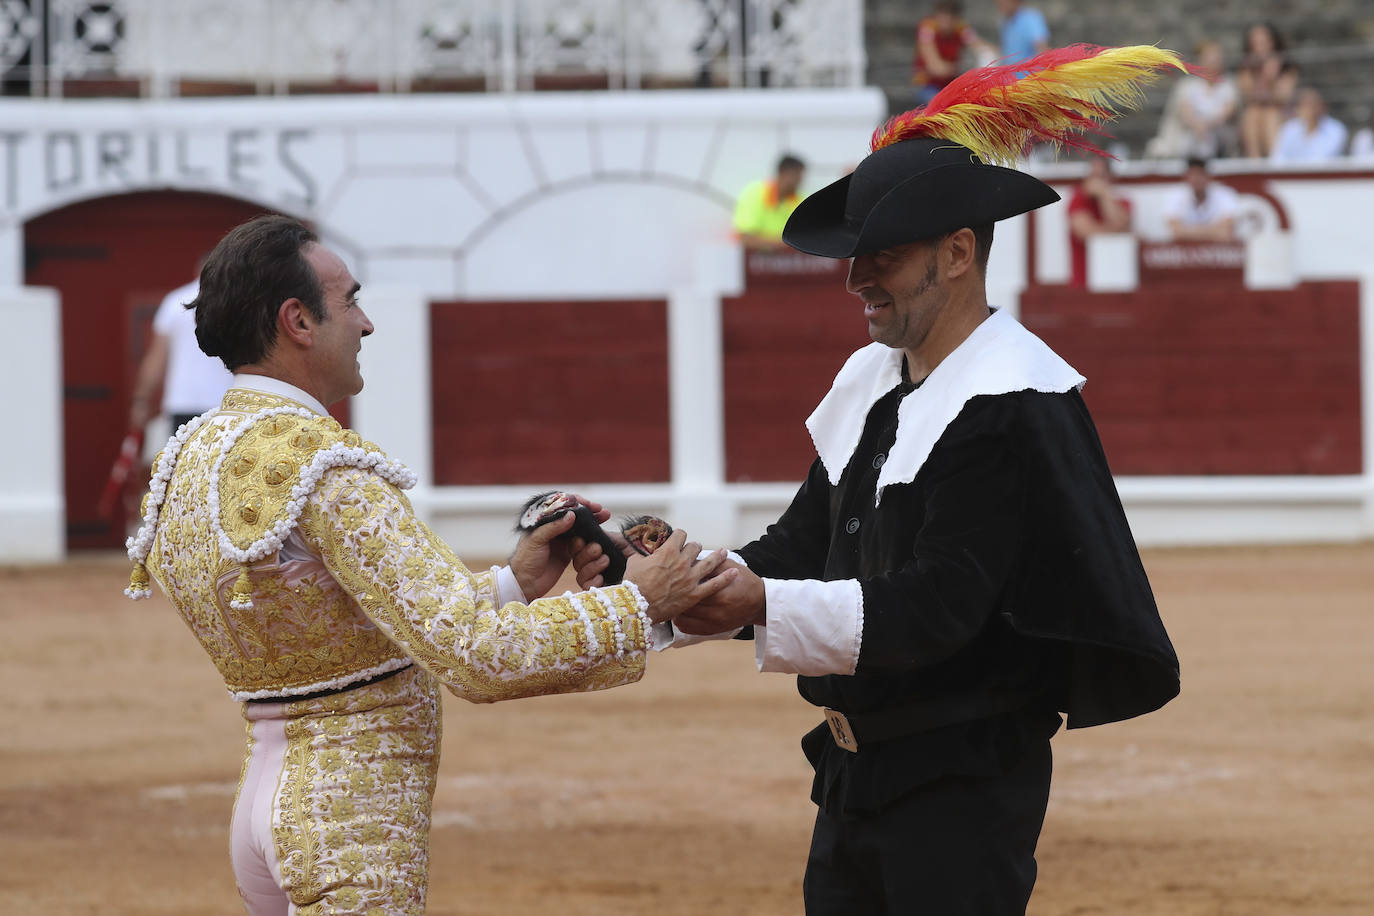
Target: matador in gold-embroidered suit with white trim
{"x":333,"y":613}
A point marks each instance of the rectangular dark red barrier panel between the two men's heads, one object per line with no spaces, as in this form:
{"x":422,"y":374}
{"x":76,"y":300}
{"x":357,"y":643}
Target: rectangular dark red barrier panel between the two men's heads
{"x":550,"y":392}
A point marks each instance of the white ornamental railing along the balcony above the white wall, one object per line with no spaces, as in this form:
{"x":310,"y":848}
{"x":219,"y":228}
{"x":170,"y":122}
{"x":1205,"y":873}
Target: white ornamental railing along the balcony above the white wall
{"x":402,"y":46}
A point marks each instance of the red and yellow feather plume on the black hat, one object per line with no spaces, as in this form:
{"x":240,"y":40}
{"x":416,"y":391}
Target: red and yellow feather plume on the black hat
{"x":1055,"y":98}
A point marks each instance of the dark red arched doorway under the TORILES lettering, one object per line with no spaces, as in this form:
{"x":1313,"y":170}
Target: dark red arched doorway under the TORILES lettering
{"x":113,"y":260}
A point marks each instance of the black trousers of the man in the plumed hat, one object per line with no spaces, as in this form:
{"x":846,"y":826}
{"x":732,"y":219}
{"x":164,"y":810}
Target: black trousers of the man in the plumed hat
{"x":958,"y":847}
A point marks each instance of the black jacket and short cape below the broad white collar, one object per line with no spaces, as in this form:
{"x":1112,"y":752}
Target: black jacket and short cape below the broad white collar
{"x":1005,"y":566}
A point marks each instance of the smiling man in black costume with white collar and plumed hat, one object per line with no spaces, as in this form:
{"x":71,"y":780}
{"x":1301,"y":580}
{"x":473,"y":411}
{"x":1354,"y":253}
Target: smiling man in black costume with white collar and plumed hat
{"x":957,"y":569}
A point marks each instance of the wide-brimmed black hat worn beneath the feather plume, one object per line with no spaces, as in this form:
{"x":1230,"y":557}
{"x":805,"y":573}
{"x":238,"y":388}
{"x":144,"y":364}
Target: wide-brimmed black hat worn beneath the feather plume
{"x":910,"y":192}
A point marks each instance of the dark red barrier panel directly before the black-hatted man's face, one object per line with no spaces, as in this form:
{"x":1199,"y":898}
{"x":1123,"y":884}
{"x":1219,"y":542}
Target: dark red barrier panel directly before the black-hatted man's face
{"x":784,"y":341}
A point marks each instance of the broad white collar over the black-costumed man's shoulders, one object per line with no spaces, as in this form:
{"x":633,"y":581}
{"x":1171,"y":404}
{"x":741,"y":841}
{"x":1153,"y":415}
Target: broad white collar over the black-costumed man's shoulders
{"x":1000,"y":358}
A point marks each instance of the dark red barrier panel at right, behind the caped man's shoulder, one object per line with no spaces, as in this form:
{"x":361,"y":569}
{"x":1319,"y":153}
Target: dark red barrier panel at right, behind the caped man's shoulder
{"x":1215,"y":380}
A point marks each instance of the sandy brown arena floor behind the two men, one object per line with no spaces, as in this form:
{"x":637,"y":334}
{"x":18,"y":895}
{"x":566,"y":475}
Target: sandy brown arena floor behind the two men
{"x":1252,"y":794}
